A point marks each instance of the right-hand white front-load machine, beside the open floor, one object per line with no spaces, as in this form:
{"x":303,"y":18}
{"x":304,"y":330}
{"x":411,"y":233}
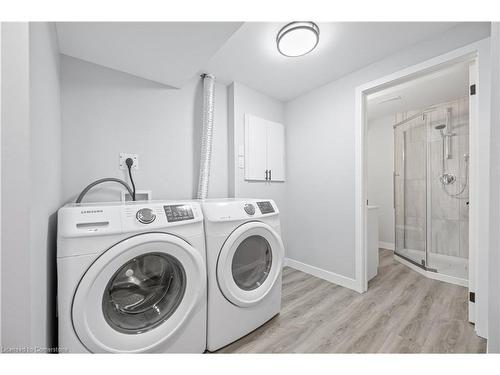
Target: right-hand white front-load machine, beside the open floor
{"x":244,"y":263}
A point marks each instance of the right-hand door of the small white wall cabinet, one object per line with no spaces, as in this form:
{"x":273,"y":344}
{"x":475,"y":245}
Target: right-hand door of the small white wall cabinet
{"x":276,"y":150}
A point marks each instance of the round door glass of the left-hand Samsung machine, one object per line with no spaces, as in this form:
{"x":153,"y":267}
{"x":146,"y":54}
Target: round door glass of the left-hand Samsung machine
{"x":144,"y":293}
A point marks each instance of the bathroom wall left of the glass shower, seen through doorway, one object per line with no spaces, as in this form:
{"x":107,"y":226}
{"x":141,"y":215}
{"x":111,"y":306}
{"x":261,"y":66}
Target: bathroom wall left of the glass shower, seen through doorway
{"x":380,"y":165}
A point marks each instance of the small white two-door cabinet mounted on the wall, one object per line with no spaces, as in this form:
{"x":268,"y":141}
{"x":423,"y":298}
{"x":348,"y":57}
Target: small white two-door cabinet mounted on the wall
{"x":264,"y":149}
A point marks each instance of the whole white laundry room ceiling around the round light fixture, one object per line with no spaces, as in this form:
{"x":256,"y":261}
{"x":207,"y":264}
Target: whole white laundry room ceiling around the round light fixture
{"x":172,"y":53}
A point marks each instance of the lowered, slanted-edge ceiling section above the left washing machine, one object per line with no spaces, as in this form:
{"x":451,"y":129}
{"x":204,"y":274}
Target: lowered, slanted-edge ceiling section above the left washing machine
{"x":167,"y":52}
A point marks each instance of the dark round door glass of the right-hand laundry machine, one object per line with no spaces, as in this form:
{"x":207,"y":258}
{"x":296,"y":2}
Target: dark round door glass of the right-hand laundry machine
{"x":252,"y":262}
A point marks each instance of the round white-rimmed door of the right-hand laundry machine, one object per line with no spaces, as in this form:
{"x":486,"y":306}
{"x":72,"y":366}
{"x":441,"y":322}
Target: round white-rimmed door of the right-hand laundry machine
{"x":249,"y":263}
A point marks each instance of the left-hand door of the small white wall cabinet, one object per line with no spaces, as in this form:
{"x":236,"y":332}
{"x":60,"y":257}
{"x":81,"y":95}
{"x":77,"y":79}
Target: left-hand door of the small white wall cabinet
{"x":255,"y":148}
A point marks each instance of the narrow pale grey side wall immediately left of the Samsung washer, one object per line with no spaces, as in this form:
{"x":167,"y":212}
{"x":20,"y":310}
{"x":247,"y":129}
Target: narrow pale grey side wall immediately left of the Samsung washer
{"x":45,"y":162}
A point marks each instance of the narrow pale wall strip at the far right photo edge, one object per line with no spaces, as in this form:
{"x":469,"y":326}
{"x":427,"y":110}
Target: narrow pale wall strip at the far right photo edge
{"x":494,"y":261}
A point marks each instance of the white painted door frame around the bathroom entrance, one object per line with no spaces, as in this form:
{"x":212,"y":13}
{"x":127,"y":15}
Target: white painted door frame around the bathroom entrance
{"x":479,"y":170}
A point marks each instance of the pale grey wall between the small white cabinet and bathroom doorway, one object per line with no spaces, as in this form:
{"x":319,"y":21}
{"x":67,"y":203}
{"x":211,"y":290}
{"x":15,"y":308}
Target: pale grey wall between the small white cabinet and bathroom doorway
{"x":319,"y":226}
